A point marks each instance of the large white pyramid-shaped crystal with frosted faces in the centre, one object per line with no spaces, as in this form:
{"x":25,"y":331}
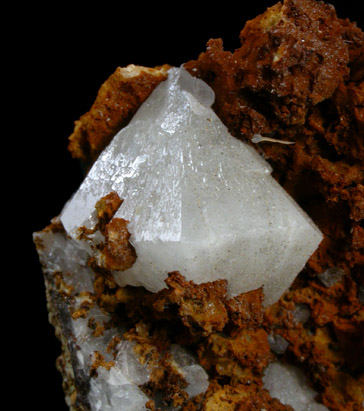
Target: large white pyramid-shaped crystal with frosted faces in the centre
{"x":198,"y":200}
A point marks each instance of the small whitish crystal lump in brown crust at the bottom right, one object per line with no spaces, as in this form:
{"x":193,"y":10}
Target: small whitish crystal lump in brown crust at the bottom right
{"x":288,"y":384}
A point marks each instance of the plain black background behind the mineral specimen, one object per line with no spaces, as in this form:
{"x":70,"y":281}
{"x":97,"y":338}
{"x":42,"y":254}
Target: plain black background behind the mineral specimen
{"x":60,"y":55}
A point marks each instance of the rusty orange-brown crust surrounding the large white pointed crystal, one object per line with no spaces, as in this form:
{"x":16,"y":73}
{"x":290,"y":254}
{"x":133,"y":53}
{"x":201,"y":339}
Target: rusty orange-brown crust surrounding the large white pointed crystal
{"x":298,"y":76}
